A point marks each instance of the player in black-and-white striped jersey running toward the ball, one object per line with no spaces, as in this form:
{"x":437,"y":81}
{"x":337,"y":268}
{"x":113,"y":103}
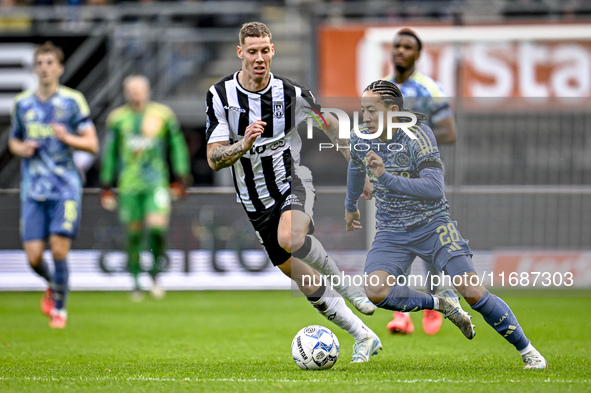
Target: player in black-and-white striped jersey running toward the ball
{"x":251,"y":127}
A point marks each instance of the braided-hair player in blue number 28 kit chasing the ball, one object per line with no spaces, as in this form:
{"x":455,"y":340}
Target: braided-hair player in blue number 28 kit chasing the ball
{"x":412,"y":220}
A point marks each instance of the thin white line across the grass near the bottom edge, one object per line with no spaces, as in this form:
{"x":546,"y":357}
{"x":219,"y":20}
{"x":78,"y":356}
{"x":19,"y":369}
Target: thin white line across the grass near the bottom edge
{"x":407,"y":381}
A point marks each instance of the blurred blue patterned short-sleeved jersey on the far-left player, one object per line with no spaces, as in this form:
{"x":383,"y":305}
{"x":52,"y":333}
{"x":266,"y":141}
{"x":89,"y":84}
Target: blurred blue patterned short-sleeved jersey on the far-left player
{"x":50,"y":174}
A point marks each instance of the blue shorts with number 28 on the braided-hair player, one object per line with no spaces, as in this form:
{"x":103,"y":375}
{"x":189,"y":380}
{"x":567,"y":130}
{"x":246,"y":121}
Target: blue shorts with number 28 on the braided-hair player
{"x":437,"y":242}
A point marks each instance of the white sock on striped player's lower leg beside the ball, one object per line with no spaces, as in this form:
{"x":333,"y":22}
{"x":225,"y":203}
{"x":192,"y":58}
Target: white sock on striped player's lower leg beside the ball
{"x":333,"y":307}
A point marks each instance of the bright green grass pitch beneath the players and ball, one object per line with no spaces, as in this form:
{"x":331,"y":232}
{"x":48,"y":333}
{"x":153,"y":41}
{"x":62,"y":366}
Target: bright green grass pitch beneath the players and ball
{"x":240,"y":342}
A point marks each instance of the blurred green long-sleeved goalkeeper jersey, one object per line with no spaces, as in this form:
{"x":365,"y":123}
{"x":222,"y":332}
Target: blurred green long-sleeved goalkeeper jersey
{"x":136,"y":149}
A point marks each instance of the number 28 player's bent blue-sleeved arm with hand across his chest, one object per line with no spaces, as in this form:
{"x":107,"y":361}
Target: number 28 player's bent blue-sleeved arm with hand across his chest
{"x":429,"y":184}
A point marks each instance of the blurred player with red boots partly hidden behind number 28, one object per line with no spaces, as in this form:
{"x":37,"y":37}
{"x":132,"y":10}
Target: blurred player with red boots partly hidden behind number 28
{"x":424,"y":95}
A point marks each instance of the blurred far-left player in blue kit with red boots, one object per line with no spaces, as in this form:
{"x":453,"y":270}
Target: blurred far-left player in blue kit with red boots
{"x":48,"y":124}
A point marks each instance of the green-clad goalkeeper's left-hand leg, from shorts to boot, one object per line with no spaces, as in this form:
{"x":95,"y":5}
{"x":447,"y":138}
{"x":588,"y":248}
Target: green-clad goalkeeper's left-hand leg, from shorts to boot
{"x":131,"y":215}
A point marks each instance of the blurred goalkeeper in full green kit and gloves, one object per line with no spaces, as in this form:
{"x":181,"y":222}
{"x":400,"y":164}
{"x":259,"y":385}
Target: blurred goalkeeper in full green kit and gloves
{"x":139,"y":134}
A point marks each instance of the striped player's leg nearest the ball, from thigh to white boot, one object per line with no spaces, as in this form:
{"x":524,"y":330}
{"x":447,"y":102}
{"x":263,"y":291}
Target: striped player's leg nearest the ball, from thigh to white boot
{"x":331,"y":305}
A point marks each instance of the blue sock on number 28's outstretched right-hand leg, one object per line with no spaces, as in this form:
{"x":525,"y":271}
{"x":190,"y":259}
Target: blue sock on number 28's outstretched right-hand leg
{"x":498,"y":315}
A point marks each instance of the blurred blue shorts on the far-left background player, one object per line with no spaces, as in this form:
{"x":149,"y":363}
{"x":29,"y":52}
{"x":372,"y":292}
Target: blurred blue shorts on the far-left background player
{"x":39,"y":219}
